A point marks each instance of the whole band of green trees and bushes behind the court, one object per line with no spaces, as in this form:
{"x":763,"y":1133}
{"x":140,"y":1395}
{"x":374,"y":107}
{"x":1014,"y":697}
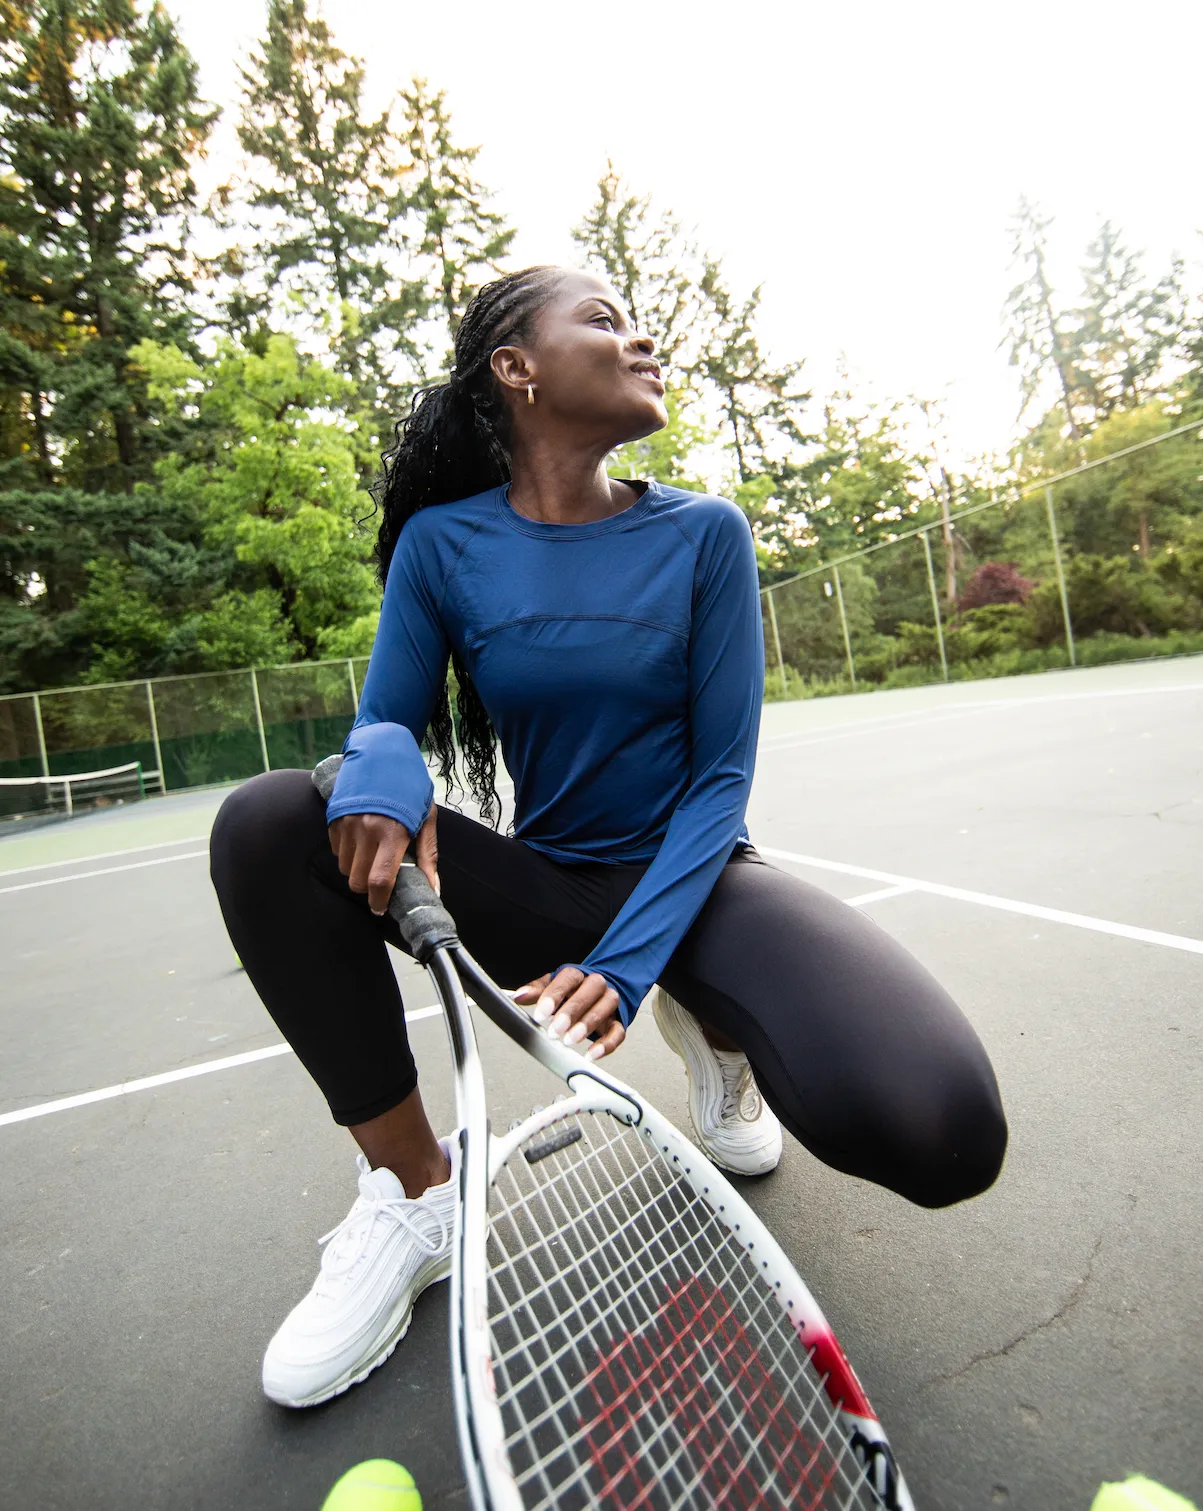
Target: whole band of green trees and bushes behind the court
{"x":182,"y":501}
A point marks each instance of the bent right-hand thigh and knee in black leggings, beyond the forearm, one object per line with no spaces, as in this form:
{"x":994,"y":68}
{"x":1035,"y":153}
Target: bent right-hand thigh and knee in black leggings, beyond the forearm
{"x":856,"y":1046}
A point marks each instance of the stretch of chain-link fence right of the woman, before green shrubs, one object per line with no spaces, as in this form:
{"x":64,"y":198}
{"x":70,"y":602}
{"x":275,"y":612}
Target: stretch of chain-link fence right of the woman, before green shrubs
{"x":1102,"y":563}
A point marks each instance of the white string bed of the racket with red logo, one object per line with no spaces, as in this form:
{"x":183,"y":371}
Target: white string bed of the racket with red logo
{"x":640,"y":1358}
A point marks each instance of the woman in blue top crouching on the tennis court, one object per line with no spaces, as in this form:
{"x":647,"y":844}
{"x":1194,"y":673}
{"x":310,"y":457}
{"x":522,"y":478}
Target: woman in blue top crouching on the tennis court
{"x":610,"y":634}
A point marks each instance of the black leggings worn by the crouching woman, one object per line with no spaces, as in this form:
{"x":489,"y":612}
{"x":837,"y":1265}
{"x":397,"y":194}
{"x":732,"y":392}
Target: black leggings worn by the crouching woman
{"x":862,"y":1055}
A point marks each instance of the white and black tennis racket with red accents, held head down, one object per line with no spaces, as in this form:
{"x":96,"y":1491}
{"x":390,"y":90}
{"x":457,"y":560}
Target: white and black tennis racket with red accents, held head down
{"x":626,"y":1333}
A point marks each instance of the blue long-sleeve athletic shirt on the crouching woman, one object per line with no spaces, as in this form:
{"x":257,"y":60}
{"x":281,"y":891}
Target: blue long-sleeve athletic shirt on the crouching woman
{"x":622,"y":664}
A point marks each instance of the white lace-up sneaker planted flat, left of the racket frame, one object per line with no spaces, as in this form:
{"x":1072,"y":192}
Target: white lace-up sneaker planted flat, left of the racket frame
{"x":377,"y":1262}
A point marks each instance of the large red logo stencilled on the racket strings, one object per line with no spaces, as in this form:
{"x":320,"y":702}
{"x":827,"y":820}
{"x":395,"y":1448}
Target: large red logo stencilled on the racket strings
{"x":697,"y":1368}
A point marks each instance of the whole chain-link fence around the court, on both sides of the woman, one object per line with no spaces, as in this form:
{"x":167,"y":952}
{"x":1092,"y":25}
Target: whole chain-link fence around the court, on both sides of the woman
{"x":1045,"y":578}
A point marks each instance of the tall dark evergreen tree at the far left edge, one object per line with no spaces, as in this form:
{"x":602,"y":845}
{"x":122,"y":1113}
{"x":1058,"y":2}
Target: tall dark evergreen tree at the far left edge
{"x":99,"y":126}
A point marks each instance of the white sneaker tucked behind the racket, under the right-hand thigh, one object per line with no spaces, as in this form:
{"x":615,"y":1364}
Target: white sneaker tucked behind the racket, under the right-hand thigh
{"x":732,"y":1123}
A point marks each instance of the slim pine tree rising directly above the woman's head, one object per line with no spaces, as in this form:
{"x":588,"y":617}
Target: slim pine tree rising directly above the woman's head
{"x":460,"y":241}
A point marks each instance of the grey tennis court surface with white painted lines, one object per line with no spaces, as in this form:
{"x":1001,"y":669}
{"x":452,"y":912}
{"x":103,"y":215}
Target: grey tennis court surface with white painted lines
{"x":1036,"y":842}
